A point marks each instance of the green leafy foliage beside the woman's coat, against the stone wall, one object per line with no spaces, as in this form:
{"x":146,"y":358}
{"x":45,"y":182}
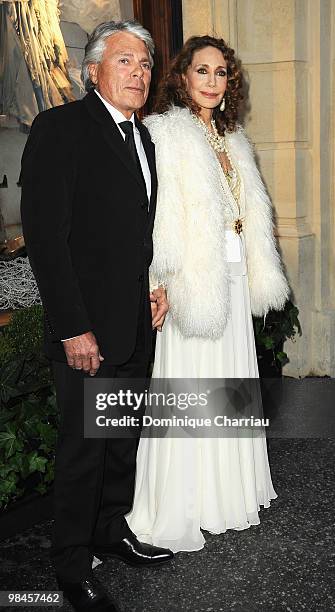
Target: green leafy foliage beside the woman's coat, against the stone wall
{"x":279,"y":326}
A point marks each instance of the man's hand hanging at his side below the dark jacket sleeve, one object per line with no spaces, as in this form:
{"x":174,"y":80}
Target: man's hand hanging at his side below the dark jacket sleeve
{"x":83,"y":353}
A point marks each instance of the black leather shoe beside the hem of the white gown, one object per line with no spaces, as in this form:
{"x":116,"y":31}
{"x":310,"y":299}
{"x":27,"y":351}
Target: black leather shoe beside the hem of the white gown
{"x":135,"y":553}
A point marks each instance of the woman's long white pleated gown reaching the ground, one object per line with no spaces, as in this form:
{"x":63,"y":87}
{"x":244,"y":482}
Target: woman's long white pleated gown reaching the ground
{"x":185,"y":485}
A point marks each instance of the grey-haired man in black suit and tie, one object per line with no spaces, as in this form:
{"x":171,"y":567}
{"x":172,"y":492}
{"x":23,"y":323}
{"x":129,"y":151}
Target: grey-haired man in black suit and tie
{"x":88,"y":204}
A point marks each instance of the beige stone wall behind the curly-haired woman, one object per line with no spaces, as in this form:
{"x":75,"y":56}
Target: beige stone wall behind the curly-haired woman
{"x":287,"y":49}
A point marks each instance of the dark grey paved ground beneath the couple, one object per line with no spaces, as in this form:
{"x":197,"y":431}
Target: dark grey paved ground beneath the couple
{"x":284,"y":564}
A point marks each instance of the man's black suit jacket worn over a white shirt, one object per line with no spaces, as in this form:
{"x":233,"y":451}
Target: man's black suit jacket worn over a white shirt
{"x":87,"y":227}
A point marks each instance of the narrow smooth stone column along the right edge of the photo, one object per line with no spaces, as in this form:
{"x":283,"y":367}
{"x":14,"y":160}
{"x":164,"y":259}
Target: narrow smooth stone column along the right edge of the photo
{"x":322,"y":64}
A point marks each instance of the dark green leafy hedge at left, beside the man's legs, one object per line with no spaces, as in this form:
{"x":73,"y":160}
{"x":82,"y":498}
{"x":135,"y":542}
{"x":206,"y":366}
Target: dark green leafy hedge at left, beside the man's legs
{"x":28,"y":412}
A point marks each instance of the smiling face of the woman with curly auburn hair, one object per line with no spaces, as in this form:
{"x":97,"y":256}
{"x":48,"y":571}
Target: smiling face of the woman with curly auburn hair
{"x":206,"y":77}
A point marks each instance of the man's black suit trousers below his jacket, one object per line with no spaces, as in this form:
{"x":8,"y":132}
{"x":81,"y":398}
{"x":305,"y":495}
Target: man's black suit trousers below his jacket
{"x":94,"y":478}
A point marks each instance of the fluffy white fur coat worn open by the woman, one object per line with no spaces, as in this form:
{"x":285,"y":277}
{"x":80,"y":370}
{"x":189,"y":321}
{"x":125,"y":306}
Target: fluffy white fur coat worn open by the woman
{"x":189,"y":231}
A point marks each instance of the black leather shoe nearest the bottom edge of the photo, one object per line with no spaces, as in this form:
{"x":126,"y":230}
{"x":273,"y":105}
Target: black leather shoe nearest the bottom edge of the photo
{"x":88,"y":595}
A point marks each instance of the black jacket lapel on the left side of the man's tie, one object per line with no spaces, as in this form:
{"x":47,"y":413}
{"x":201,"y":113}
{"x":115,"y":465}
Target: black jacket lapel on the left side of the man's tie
{"x":111,"y":133}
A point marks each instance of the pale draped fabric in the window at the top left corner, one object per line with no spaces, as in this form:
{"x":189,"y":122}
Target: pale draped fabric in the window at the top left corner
{"x":35,"y":75}
